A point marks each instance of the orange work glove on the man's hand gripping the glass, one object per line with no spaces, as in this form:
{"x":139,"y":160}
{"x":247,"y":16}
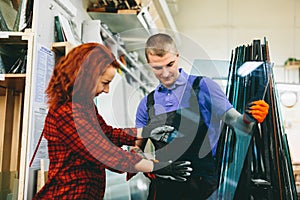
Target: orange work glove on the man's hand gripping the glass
{"x":256,"y":111}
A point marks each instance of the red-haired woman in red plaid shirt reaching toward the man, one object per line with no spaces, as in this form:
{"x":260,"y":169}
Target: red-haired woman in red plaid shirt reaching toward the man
{"x":80,"y":144}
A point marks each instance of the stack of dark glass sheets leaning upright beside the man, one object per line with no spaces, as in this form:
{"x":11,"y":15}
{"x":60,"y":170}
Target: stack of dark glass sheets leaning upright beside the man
{"x":256,"y":165}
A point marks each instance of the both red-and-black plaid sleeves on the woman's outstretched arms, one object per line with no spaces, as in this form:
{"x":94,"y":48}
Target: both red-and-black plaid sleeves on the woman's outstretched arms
{"x":84,"y":135}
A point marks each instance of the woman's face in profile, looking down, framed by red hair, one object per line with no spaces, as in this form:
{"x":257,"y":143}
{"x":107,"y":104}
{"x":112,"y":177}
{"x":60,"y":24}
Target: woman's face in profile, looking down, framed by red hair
{"x":104,"y":80}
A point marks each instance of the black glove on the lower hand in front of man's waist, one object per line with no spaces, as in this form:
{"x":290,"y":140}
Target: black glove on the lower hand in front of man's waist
{"x":176,"y":171}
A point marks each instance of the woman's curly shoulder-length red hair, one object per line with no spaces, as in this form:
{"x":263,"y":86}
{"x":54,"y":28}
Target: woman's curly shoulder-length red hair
{"x":77,"y":73}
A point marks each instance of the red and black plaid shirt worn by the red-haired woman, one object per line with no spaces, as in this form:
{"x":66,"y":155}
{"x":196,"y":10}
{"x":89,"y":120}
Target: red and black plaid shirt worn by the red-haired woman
{"x":80,"y":146}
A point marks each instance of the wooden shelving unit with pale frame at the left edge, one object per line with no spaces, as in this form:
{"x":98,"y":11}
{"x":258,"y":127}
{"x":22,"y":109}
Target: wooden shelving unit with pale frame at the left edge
{"x":14,"y":101}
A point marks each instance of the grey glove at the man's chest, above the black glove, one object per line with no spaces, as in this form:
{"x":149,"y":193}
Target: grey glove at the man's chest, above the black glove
{"x":160,"y":133}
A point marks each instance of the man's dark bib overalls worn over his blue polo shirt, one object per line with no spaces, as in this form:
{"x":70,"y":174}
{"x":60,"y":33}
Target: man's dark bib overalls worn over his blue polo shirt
{"x":184,"y":145}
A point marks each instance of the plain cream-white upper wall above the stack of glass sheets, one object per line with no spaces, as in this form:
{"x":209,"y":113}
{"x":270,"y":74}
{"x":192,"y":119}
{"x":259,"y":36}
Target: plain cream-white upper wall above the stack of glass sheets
{"x":220,"y":26}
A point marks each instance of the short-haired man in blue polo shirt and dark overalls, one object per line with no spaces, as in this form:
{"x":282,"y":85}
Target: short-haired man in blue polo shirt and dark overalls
{"x":195,"y":107}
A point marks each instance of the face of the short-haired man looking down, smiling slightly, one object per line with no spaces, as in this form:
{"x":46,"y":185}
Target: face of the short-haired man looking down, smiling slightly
{"x":165,"y":68}
